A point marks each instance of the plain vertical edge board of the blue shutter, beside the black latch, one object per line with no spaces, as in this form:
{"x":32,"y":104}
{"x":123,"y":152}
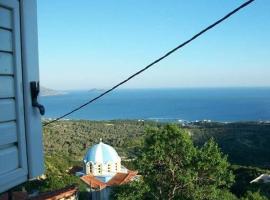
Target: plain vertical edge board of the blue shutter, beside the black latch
{"x":30,"y":71}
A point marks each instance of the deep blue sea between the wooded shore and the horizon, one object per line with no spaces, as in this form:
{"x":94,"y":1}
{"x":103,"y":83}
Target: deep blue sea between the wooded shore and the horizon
{"x":215,"y":104}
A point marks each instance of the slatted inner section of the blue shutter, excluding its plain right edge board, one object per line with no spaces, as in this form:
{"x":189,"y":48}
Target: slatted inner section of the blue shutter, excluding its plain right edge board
{"x":13,"y":159}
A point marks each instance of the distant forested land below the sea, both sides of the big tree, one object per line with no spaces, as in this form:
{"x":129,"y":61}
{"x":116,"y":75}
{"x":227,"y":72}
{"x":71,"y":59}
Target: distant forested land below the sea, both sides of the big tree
{"x":245,"y":143}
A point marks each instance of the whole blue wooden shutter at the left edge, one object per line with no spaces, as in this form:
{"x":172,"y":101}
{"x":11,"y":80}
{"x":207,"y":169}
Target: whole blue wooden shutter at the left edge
{"x":16,"y":112}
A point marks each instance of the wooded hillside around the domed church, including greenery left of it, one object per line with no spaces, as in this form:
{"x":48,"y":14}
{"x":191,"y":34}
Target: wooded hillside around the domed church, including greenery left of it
{"x":66,"y":142}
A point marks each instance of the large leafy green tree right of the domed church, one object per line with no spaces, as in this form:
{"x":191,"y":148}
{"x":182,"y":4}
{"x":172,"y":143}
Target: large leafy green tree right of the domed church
{"x":173,"y":168}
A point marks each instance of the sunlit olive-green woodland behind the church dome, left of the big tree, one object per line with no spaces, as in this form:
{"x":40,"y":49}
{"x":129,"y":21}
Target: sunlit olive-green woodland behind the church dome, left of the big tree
{"x":73,"y":138}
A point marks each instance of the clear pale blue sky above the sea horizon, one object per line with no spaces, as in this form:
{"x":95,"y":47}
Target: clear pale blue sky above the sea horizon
{"x":86,"y":44}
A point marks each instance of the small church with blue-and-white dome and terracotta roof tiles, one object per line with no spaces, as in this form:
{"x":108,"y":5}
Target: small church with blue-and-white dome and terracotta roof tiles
{"x":102,"y":169}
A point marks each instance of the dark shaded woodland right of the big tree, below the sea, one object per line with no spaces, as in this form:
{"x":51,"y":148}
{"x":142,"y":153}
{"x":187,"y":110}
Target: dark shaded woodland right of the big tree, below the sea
{"x":245,"y":143}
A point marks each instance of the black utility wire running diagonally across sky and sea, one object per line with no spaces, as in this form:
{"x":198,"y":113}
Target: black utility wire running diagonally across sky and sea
{"x":154,"y":62}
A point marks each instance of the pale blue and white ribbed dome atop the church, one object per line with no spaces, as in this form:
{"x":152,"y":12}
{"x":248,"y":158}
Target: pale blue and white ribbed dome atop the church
{"x":101,"y":153}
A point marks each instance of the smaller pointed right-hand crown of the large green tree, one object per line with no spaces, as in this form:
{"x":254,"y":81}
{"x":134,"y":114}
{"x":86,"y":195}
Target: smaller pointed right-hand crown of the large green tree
{"x":213,"y":172}
